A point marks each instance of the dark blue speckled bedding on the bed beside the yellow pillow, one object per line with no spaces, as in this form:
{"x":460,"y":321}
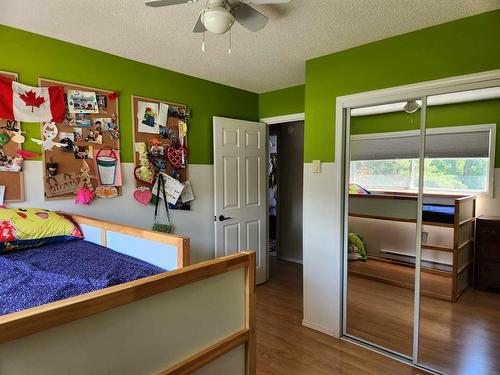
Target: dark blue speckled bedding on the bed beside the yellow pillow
{"x":53,"y":272}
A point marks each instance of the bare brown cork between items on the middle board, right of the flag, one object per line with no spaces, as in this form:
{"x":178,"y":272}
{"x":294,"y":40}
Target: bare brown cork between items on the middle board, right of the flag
{"x":67,"y":164}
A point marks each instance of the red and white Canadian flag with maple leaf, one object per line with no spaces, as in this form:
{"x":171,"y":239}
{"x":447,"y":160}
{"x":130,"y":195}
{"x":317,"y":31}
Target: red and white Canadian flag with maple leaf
{"x":31,"y":104}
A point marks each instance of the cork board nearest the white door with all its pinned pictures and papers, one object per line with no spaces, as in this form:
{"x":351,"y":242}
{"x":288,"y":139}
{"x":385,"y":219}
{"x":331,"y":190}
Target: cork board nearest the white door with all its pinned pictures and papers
{"x":162,"y":150}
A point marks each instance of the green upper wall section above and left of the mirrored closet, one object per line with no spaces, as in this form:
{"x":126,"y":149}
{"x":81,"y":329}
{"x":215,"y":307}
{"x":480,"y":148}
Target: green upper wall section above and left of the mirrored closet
{"x":464,"y":46}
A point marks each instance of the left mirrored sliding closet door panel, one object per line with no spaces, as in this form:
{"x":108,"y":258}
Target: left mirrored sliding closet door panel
{"x":382,"y":174}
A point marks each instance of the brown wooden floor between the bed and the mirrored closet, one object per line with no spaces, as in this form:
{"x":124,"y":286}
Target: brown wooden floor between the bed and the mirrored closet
{"x":285,"y":347}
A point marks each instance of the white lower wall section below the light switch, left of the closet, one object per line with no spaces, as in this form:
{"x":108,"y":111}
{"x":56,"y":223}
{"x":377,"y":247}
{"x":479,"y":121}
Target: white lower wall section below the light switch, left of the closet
{"x":321,"y":252}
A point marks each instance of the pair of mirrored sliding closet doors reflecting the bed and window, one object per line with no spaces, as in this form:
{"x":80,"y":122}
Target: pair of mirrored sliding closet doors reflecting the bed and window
{"x":422,"y":230}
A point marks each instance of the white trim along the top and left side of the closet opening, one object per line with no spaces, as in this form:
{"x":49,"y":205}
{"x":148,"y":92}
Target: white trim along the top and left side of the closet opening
{"x":405,"y":92}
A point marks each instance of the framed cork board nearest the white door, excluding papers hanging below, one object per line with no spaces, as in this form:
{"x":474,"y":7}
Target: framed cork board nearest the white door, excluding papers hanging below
{"x":162,"y":127}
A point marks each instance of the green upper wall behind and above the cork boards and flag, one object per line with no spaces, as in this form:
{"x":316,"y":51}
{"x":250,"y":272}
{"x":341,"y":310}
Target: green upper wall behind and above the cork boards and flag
{"x":33,"y":56}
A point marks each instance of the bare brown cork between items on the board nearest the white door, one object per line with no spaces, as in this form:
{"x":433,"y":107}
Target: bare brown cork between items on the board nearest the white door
{"x":170,"y":135}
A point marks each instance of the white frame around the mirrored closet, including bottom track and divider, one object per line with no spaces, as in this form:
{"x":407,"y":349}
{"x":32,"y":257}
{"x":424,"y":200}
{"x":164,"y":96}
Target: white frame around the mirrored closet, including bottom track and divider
{"x":370,"y":98}
